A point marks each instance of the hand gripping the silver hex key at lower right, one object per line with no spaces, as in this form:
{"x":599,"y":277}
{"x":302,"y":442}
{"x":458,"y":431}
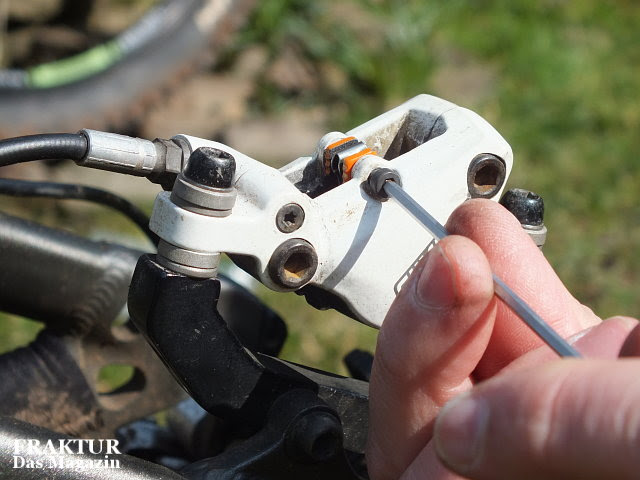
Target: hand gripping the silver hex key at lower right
{"x":539,"y":417}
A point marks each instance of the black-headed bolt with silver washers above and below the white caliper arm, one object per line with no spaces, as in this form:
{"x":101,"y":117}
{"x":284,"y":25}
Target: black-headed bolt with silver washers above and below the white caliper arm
{"x":204,"y":187}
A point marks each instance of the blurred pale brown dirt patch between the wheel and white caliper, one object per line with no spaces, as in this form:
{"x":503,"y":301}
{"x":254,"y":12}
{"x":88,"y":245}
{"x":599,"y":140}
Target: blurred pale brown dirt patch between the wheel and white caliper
{"x":218,"y":106}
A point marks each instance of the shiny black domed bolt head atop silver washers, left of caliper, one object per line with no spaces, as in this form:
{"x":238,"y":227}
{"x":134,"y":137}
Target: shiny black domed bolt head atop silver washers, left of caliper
{"x":211,"y":167}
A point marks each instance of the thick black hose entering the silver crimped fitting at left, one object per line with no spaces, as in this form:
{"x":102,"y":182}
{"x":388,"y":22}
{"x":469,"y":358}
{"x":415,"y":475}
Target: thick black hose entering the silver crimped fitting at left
{"x":51,"y":146}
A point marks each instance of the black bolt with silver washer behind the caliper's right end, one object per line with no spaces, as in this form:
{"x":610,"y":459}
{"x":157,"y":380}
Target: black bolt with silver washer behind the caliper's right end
{"x":528,"y":208}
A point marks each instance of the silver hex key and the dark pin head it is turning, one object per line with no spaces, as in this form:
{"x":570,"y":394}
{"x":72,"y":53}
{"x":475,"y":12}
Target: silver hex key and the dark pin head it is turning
{"x":391,"y":187}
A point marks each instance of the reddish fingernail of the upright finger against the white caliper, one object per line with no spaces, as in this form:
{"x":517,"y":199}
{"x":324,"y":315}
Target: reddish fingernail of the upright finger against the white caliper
{"x":436,"y":285}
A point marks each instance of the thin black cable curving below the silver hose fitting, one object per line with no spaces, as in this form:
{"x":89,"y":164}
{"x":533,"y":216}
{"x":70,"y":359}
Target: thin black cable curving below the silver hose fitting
{"x":64,"y":191}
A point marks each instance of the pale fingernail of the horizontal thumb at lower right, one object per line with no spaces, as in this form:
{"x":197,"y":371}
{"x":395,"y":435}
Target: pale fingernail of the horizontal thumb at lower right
{"x":460,"y":431}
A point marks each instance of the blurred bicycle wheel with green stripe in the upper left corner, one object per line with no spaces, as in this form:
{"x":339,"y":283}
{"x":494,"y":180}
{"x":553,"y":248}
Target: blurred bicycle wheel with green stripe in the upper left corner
{"x":116,"y":97}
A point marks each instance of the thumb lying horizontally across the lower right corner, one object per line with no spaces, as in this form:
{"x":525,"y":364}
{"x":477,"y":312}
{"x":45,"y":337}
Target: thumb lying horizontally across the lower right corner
{"x":565,"y":419}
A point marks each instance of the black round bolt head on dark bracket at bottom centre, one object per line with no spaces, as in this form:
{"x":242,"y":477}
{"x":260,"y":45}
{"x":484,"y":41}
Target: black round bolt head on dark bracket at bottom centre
{"x":314,"y":437}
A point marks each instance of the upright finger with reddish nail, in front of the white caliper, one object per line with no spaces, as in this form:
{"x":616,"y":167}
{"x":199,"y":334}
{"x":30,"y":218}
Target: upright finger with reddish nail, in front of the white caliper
{"x":432,"y":339}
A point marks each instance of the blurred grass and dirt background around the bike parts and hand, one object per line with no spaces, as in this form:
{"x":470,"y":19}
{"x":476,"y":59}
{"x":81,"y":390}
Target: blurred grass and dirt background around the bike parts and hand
{"x":559,"y":80}
